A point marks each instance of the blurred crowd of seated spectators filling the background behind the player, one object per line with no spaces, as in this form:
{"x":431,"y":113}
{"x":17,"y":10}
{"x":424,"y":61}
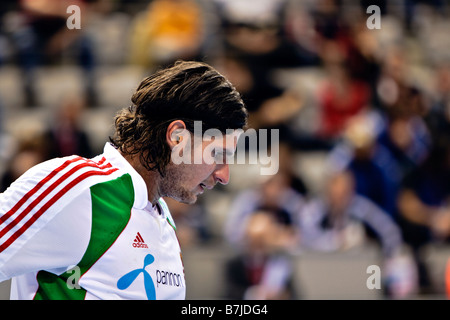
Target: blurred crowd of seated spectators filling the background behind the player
{"x":363,"y":117}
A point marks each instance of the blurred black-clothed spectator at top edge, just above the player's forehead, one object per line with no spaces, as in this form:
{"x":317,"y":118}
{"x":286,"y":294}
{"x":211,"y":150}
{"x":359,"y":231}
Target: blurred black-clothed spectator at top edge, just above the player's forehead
{"x":255,"y":45}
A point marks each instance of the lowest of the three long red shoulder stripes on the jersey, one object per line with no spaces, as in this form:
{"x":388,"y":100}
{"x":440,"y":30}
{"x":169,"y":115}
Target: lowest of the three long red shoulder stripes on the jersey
{"x":49,"y":203}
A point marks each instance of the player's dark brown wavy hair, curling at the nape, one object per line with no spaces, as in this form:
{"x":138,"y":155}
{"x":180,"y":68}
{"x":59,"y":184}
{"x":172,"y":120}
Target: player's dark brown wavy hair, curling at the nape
{"x":187,"y":90}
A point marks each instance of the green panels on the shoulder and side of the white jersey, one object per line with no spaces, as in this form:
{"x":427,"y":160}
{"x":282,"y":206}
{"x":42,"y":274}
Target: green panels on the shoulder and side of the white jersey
{"x":111,"y":210}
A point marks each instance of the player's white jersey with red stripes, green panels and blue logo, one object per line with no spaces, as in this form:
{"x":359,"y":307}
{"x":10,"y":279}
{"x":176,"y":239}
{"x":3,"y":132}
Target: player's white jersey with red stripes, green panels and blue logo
{"x":76,"y":228}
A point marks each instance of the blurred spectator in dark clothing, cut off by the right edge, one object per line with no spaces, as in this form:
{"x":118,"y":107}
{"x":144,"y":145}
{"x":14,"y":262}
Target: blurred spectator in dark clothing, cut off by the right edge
{"x":424,"y":207}
